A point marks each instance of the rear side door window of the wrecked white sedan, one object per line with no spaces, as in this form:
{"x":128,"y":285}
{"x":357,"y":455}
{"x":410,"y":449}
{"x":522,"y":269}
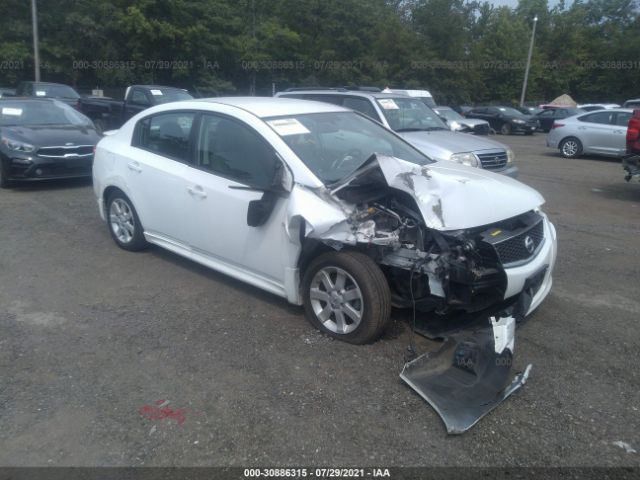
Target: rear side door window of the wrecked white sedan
{"x":167,"y":134}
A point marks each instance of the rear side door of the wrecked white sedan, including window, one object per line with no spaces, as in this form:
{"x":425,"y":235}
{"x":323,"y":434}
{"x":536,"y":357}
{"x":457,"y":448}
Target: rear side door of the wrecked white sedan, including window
{"x":157,"y":171}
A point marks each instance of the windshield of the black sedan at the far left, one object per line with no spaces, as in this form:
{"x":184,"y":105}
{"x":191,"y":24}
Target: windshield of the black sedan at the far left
{"x":39,"y":112}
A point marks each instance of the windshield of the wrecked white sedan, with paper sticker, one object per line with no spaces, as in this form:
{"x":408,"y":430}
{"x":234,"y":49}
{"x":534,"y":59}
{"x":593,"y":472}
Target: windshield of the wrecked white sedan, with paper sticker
{"x":335,"y":144}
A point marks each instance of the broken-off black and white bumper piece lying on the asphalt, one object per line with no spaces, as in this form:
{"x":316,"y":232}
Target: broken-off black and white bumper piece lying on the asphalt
{"x":469,"y":375}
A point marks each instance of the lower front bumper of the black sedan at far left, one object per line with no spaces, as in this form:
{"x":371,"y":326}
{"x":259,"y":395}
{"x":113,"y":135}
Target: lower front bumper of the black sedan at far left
{"x":34,"y":168}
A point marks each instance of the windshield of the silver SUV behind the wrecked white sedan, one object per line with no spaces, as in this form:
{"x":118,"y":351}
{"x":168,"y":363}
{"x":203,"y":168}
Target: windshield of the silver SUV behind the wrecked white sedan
{"x":409,"y":114}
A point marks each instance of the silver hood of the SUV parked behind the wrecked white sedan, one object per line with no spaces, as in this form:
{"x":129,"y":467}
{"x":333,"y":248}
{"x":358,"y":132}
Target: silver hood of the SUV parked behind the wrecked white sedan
{"x":441,"y":144}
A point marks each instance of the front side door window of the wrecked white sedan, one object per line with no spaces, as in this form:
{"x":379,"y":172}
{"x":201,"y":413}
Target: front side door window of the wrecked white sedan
{"x":231,"y":149}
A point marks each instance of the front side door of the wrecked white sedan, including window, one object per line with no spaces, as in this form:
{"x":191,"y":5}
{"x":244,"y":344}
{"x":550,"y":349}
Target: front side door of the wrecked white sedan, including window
{"x":230,"y":158}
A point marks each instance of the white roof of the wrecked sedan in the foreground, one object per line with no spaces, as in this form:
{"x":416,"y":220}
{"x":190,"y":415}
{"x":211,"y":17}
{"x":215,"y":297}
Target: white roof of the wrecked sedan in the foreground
{"x":274,"y":106}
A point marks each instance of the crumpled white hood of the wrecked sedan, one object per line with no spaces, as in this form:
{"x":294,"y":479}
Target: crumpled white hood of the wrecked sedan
{"x":453,"y":197}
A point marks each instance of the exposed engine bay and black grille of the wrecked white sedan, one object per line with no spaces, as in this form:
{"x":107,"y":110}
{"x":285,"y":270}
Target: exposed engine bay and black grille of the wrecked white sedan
{"x":436,"y":270}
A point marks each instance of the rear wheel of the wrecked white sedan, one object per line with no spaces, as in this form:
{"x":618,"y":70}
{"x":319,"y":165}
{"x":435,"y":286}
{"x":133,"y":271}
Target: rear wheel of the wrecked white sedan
{"x":124,"y":224}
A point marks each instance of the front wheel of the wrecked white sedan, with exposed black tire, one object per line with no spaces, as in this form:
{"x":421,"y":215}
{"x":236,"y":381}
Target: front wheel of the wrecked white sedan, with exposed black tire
{"x":361,"y":317}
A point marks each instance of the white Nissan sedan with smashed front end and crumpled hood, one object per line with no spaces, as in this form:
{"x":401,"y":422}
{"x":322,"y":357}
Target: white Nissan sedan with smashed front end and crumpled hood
{"x":326,"y":208}
